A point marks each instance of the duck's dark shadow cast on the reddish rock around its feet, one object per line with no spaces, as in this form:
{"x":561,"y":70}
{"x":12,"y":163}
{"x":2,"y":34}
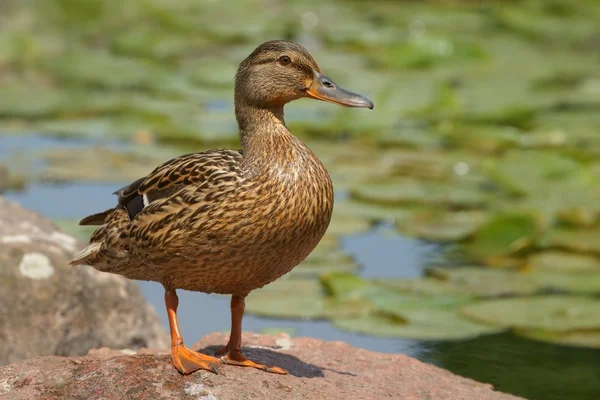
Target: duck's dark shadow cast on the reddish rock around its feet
{"x":293,"y":365}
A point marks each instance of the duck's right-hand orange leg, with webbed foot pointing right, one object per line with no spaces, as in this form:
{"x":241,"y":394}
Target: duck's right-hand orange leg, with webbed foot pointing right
{"x":232,"y":352}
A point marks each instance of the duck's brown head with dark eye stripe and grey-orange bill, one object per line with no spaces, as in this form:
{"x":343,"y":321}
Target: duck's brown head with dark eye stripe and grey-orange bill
{"x":278,"y":72}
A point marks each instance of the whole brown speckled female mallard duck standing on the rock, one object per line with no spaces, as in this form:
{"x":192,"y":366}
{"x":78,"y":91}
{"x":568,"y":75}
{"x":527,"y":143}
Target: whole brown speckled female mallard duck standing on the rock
{"x":227,"y":221}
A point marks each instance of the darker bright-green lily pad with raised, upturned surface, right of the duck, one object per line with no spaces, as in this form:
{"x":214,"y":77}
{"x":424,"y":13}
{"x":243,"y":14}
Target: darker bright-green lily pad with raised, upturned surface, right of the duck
{"x":502,"y":235}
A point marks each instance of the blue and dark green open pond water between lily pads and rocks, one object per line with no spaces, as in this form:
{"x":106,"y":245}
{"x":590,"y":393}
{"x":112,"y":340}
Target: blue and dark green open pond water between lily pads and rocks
{"x":514,"y":365}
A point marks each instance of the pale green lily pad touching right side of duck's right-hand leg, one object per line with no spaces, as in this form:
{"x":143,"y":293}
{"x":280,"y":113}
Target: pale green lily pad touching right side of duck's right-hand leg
{"x":289,"y":298}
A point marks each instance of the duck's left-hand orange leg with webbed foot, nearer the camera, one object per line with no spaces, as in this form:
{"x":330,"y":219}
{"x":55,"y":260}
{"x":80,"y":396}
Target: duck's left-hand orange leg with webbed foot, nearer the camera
{"x":185,"y":360}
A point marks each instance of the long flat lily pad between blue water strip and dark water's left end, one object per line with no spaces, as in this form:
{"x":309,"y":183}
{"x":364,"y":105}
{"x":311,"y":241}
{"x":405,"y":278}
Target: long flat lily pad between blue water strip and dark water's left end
{"x":421,"y":324}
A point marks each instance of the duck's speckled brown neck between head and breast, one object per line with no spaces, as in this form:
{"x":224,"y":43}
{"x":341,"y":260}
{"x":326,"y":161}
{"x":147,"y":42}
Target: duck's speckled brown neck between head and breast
{"x":263,"y":133}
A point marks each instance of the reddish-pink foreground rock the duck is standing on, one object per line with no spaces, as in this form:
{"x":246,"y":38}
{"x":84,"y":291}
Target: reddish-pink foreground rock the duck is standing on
{"x":317,"y":370}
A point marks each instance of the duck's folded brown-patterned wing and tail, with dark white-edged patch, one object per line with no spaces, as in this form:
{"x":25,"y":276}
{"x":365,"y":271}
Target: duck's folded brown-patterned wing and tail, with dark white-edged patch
{"x":142,"y":203}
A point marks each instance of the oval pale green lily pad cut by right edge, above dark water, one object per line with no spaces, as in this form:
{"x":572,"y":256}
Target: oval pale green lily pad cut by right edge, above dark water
{"x":552,"y":313}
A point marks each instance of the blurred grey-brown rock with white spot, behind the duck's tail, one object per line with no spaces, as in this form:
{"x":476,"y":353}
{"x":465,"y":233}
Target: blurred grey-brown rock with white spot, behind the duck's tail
{"x":50,"y":308}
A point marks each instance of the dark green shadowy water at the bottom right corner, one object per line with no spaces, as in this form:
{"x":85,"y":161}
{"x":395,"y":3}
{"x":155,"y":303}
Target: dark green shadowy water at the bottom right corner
{"x":523,"y":367}
